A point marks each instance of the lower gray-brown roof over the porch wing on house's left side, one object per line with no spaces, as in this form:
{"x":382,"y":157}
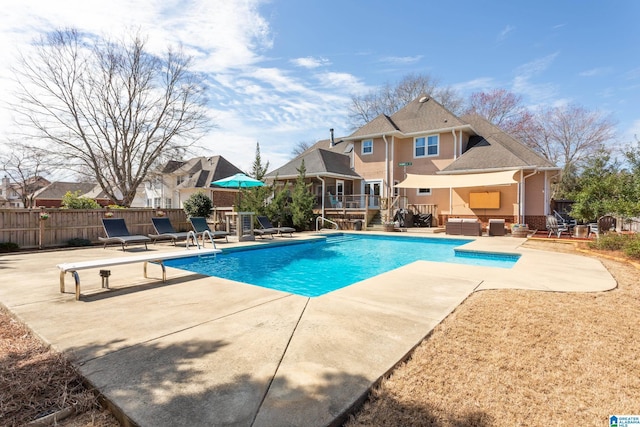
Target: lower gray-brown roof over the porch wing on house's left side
{"x":317,"y":162}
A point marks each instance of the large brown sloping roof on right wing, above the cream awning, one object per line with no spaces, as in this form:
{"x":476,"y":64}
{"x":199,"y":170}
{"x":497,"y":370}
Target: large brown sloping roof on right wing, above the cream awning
{"x":494,"y":149}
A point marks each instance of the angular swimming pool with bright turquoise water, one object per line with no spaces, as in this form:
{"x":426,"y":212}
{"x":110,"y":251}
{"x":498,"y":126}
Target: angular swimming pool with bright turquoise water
{"x":316,"y":267}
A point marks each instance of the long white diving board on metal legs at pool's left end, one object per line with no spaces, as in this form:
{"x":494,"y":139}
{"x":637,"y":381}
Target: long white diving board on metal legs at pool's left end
{"x":159,"y":257}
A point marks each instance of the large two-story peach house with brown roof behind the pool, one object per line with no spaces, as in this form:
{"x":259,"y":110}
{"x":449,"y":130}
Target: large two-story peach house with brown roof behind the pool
{"x":426,"y":159}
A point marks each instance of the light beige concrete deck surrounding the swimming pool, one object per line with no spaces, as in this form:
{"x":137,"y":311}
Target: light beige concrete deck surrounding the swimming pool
{"x":207,"y":351}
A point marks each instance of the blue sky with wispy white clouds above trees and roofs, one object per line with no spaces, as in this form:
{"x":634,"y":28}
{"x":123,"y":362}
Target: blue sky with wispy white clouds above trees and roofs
{"x":282,"y":72}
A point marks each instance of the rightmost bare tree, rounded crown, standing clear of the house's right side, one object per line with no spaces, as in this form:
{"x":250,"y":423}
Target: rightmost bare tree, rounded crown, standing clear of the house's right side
{"x":568,"y":135}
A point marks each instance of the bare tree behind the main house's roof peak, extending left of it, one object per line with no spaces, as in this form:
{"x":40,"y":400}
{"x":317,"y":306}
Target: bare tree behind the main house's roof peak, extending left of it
{"x":390,"y":98}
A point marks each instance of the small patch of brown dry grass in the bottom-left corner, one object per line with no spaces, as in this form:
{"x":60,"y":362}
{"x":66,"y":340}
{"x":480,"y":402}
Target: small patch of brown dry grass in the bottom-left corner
{"x":36,"y":381}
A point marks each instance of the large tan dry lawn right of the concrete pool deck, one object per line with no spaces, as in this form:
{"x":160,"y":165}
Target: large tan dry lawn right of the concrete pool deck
{"x":506,"y":358}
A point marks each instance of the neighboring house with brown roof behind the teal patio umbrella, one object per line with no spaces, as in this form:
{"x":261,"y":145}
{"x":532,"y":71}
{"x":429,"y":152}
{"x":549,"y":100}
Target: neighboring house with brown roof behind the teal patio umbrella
{"x":177,"y":180}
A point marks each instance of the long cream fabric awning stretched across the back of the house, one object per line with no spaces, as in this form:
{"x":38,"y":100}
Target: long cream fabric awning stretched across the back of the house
{"x":459,"y":181}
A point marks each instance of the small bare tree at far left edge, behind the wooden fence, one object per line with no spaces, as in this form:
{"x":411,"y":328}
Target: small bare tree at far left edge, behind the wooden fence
{"x":25,"y":166}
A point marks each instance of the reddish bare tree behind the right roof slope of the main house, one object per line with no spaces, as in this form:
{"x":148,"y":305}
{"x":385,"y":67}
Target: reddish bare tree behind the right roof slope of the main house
{"x":504,"y":109}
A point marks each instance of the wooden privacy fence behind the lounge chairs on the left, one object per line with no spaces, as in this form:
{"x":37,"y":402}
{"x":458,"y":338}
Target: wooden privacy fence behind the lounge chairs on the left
{"x":26,"y":228}
